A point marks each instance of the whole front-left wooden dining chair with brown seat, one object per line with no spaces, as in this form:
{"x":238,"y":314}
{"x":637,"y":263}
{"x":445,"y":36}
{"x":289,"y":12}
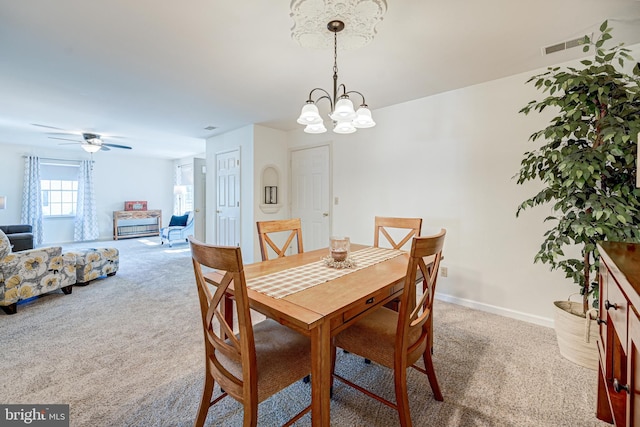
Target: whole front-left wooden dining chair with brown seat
{"x":258,"y":361}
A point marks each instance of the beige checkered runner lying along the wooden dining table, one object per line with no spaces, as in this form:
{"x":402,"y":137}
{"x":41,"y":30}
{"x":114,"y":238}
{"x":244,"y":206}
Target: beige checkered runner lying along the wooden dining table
{"x":286,"y":282}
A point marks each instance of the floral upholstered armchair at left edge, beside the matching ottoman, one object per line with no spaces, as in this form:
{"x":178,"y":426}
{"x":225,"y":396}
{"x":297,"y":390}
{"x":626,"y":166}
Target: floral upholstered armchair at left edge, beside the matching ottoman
{"x":33,"y":272}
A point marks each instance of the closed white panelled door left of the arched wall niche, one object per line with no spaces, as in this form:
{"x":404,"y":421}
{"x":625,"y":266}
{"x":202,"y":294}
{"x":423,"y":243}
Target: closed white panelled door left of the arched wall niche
{"x":228,"y":200}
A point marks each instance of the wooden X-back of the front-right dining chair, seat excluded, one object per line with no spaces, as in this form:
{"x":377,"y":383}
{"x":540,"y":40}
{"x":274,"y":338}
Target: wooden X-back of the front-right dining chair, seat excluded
{"x":414,"y":315}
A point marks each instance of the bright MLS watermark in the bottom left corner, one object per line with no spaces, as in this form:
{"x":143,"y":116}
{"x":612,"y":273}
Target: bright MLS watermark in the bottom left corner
{"x":34,"y":415}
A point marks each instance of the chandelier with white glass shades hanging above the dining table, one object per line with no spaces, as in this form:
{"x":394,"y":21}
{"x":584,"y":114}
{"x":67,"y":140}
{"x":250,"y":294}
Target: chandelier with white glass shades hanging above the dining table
{"x":345,"y":118}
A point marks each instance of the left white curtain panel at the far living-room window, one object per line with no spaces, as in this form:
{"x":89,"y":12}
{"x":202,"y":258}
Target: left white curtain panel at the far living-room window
{"x":32,"y":197}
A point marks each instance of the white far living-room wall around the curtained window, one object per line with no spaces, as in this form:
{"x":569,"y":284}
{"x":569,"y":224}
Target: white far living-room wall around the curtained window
{"x":118,"y":177}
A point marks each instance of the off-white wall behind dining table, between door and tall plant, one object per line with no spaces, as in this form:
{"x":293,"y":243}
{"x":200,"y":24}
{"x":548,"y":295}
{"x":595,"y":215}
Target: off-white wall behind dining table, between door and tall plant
{"x":450,"y":159}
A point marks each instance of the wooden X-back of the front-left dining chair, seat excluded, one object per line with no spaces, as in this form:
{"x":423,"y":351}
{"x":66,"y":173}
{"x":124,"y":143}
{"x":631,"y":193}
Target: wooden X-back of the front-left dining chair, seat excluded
{"x":218,"y":334}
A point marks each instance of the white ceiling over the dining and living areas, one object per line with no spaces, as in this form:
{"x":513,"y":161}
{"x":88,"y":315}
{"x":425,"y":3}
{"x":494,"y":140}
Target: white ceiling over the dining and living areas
{"x":157,"y":72}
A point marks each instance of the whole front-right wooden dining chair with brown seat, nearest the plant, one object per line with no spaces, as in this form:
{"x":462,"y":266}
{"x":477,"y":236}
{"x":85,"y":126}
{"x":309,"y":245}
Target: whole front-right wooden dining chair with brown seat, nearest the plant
{"x":398,"y":340}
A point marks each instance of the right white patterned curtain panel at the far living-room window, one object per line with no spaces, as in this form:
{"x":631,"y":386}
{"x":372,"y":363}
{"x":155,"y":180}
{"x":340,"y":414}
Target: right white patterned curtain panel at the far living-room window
{"x":86,"y":222}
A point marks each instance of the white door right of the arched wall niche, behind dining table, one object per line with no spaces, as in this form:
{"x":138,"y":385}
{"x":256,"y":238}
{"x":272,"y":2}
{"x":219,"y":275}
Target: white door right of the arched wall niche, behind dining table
{"x":310,"y":194}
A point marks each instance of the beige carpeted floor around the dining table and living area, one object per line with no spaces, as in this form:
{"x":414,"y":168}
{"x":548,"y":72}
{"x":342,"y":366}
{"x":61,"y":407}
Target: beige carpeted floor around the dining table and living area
{"x":127,"y":351}
